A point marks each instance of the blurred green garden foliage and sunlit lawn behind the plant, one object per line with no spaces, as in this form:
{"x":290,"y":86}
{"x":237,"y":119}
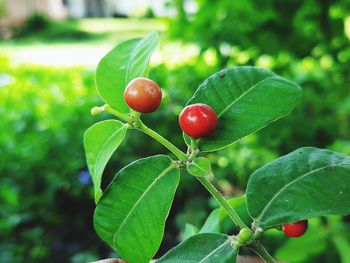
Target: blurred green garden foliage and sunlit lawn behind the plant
{"x":47,"y":90}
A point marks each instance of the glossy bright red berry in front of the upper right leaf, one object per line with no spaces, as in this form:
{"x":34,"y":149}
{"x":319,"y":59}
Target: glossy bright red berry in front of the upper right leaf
{"x":198,"y":120}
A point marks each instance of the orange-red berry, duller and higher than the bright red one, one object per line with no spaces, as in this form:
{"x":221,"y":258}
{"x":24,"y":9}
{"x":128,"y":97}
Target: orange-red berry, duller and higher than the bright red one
{"x":143,"y":95}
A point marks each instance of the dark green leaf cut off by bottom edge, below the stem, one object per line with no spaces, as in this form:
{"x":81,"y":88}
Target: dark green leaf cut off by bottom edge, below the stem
{"x":203,"y":248}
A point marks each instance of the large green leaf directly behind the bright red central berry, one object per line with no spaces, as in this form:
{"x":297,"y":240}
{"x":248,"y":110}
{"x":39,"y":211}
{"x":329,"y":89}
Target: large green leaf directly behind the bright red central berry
{"x":246,"y":99}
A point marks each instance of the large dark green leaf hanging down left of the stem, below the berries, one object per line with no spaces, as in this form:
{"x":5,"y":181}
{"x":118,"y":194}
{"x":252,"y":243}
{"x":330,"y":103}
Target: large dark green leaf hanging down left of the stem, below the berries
{"x":131,"y":214}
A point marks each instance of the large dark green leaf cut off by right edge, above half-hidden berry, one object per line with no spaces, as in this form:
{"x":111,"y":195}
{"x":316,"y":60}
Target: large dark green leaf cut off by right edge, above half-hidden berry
{"x":306,"y":183}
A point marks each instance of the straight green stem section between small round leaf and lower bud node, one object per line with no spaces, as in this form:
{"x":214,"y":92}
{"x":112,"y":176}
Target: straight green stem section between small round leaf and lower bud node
{"x":216,"y":194}
